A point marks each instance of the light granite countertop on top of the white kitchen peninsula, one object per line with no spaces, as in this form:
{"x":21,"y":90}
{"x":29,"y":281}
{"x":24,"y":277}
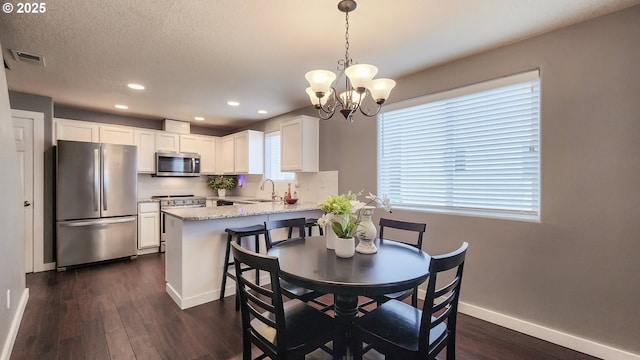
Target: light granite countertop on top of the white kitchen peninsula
{"x":222,"y":212}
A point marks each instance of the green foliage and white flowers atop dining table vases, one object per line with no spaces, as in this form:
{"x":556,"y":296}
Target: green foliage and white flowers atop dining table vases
{"x":348,"y":208}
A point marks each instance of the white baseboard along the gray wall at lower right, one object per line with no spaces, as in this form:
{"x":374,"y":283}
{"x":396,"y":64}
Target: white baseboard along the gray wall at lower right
{"x":554,"y":336}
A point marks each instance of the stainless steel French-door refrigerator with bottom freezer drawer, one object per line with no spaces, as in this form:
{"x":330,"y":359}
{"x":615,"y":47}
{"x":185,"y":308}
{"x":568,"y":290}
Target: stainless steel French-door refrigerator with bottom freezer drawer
{"x":96,"y":202}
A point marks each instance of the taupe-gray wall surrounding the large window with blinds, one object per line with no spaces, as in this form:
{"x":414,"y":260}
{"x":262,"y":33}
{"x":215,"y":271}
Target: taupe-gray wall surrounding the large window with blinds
{"x":577,"y":270}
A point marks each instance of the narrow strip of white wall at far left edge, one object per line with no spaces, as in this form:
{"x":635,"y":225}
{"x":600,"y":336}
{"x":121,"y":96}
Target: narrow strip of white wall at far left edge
{"x":12,"y":276}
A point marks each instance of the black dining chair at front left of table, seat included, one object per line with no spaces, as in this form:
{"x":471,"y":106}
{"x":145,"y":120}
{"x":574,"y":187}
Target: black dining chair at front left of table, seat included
{"x":280,"y":330}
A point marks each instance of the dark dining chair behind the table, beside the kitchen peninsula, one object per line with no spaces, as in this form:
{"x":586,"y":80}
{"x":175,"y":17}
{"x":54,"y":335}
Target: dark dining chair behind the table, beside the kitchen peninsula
{"x":290,"y":290}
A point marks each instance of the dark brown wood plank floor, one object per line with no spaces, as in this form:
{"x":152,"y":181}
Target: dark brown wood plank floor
{"x":120,"y":311}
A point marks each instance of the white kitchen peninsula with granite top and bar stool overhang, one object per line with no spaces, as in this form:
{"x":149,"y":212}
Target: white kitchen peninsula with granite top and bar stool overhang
{"x":196,"y":243}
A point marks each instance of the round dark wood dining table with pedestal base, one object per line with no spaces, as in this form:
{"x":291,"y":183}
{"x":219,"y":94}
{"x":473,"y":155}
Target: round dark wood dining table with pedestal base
{"x":308,"y":263}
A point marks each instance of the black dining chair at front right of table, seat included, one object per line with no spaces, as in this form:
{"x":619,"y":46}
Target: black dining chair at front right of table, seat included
{"x":399,"y":330}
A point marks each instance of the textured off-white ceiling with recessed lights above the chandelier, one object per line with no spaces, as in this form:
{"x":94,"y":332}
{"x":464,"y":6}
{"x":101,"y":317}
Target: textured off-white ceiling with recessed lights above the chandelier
{"x":194,"y":56}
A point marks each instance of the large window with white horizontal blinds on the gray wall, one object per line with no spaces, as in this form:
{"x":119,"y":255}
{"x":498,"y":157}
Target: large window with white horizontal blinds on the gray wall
{"x":471,"y":150}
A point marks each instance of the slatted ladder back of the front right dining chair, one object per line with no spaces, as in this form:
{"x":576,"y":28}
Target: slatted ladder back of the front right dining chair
{"x":441,"y":304}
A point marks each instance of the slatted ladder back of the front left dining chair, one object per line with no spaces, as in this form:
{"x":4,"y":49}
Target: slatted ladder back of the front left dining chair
{"x":262,"y":309}
